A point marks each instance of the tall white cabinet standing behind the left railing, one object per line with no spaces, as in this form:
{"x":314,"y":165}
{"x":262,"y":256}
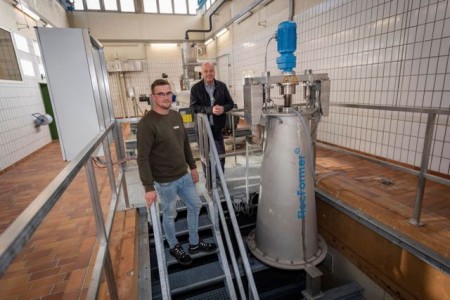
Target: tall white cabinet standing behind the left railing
{"x":78,"y":85}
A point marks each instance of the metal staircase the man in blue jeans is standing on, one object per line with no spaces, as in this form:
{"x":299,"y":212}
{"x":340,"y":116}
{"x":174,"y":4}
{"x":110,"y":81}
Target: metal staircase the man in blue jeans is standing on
{"x":208,"y":277}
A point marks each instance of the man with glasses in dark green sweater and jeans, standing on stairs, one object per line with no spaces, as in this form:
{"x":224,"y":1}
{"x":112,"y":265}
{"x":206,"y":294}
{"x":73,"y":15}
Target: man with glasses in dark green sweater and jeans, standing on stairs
{"x":164,"y":153}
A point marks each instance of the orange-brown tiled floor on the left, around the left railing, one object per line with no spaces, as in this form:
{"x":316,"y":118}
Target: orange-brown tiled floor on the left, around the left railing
{"x":57,"y":261}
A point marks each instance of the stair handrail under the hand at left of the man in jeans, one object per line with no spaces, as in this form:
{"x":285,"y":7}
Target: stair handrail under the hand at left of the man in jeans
{"x":160,"y":255}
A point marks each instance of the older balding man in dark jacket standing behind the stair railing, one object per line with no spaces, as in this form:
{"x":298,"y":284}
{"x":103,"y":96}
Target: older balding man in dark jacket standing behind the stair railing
{"x":211,"y":97}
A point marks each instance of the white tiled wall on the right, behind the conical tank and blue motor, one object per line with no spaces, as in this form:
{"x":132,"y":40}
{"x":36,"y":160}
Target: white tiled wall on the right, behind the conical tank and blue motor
{"x":393,"y":53}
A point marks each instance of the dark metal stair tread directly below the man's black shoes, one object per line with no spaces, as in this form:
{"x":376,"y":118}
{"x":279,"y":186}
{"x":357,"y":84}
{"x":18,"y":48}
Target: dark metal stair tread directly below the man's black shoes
{"x":194,"y":278}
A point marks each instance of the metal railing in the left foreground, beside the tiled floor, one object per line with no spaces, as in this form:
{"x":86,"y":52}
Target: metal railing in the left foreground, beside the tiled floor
{"x":21,"y":230}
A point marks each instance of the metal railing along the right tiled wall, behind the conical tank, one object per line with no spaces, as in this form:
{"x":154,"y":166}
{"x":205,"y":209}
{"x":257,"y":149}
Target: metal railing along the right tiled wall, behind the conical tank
{"x":422,"y":174}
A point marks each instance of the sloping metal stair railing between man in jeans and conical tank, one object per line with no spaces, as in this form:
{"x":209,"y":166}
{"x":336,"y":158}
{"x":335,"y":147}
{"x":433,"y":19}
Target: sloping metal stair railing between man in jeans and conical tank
{"x":210,"y":159}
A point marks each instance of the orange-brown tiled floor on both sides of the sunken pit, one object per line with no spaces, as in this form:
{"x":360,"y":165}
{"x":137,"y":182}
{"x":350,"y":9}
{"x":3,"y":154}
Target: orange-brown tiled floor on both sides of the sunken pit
{"x":57,"y":261}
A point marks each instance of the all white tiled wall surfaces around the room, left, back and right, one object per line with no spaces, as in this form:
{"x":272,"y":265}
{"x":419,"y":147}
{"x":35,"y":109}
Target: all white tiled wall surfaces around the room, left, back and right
{"x":393,"y":53}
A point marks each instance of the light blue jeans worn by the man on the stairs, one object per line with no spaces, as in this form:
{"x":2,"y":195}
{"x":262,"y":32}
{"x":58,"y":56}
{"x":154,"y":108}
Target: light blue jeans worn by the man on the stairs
{"x":183,"y":187}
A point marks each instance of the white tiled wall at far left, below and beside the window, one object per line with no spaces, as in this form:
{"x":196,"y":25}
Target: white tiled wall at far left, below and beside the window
{"x":18,"y":101}
